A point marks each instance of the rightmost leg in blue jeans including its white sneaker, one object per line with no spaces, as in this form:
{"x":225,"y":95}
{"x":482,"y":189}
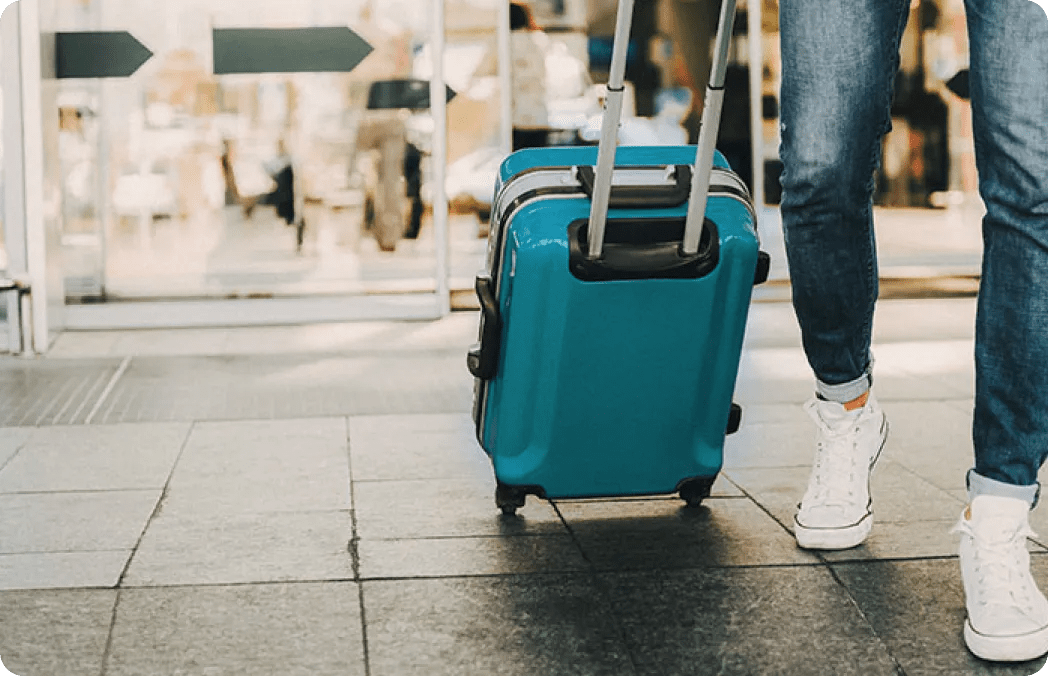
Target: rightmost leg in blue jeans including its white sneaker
{"x":1008,"y":615}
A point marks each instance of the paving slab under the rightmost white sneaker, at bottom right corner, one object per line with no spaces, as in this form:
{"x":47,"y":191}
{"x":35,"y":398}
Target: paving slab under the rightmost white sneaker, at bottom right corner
{"x":918,"y":609}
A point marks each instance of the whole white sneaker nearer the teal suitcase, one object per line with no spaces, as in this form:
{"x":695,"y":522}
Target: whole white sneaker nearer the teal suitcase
{"x":837,"y":511}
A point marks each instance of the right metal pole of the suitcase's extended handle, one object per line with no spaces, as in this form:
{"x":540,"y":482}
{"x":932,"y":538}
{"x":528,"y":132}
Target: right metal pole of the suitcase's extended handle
{"x":708,"y":133}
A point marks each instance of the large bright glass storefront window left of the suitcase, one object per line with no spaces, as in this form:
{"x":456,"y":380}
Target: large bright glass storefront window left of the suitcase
{"x":179,"y":183}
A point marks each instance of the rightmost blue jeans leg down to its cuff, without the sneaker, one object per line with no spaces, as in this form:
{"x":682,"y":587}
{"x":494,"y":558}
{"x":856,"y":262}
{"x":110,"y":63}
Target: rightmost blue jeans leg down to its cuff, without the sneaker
{"x":1010,"y":106}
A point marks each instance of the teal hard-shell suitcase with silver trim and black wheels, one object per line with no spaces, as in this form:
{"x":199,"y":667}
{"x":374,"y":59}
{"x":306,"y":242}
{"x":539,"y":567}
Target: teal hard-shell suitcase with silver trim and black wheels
{"x":613,"y":375}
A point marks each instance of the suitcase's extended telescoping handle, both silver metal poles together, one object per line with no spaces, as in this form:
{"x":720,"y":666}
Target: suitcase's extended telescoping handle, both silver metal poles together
{"x":706,"y":146}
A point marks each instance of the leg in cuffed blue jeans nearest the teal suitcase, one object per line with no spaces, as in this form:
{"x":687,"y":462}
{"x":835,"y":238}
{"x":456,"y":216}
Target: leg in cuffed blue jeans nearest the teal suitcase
{"x":840,"y":59}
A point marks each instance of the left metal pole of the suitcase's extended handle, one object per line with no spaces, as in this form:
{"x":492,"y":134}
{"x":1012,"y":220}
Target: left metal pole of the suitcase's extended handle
{"x":609,"y":129}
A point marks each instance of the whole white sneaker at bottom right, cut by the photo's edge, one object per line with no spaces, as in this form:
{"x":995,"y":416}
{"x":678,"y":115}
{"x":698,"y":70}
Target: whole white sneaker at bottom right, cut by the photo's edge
{"x":1008,"y":614}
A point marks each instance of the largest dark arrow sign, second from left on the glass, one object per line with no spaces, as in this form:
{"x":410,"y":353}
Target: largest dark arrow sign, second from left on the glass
{"x":318,"y":50}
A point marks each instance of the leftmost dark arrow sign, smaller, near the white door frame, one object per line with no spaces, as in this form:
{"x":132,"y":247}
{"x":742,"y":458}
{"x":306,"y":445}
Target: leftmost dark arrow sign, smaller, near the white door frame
{"x":114,"y":54}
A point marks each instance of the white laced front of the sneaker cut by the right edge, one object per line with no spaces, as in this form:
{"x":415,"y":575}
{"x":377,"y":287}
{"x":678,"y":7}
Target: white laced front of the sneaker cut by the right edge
{"x":1001,"y":564}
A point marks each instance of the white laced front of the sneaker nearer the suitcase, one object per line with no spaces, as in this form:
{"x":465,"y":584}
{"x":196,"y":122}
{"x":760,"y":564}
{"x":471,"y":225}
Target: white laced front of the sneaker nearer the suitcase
{"x":834,"y":472}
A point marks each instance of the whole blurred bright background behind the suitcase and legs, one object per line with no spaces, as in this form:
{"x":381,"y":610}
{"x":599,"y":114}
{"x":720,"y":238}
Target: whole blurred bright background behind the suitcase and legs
{"x":277,"y":198}
